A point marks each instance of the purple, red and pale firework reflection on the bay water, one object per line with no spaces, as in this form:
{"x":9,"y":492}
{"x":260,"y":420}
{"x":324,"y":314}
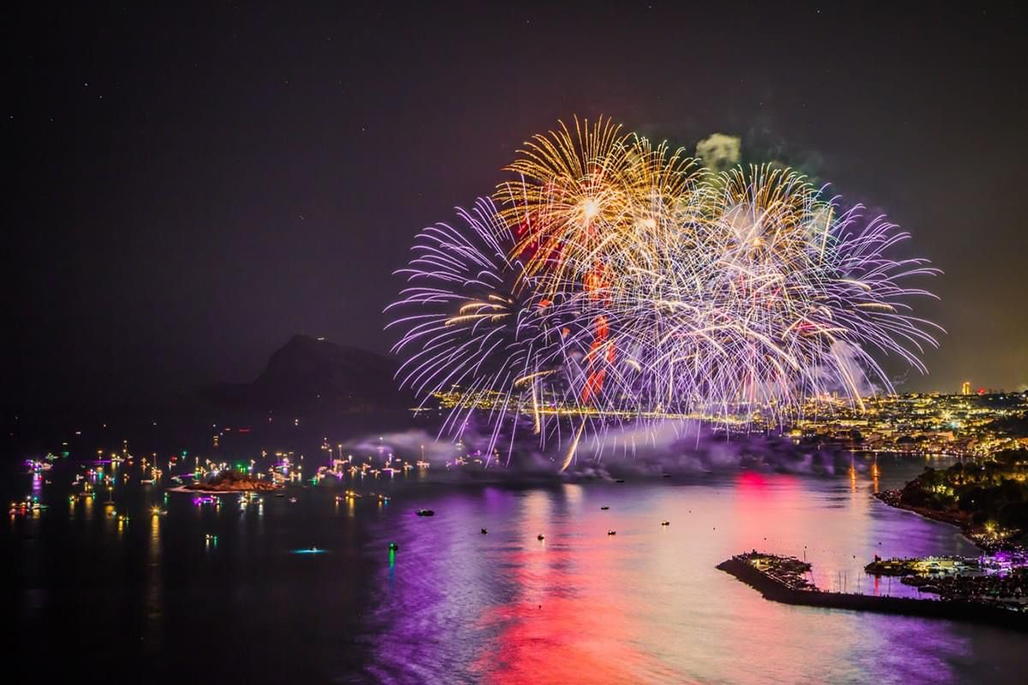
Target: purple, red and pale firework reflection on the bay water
{"x":647,"y":604}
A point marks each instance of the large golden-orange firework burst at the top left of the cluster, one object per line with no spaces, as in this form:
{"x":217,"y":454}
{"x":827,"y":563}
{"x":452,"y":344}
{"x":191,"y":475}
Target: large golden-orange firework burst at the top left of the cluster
{"x":588,"y":209}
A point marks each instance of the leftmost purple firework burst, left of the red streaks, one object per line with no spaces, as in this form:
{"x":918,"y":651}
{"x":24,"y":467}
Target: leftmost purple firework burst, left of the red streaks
{"x":475,"y":331}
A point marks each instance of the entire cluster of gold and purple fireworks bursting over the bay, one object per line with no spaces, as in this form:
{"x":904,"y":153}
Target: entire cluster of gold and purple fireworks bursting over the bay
{"x":614,"y":281}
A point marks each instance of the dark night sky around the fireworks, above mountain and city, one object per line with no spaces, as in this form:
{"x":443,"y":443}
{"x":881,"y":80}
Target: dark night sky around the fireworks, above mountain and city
{"x":190,"y":187}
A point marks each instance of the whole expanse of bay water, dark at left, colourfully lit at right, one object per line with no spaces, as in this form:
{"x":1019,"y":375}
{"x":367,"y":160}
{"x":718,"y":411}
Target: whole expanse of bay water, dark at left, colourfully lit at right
{"x":154,"y":600}
